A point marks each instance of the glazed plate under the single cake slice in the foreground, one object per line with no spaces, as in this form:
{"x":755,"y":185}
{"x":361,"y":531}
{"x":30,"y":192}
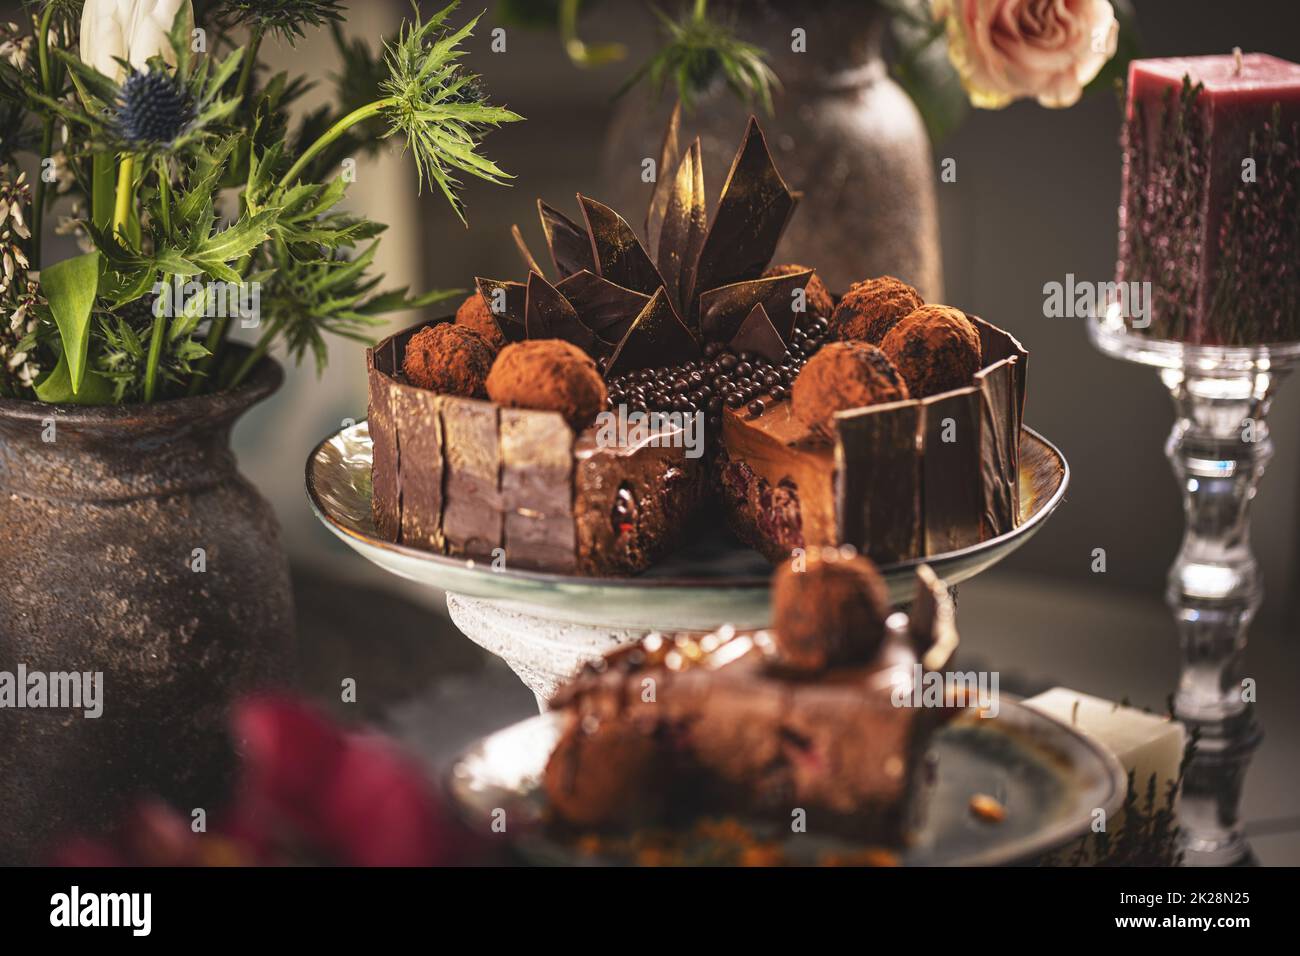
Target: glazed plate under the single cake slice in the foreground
{"x":1048,"y":778}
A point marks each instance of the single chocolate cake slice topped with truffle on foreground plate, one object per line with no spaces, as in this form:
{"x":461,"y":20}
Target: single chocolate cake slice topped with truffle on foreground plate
{"x":760,"y":724}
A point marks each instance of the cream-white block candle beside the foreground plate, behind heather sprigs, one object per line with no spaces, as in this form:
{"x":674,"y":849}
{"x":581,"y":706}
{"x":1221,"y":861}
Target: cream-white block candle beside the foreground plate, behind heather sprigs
{"x":1143,"y":743}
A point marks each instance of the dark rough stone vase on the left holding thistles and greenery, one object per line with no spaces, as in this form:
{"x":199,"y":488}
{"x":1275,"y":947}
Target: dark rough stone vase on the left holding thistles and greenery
{"x":102,"y":514}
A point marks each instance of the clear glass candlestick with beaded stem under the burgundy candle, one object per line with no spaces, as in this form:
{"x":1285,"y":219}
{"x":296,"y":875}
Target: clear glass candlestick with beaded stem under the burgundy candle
{"x":1219,"y":448}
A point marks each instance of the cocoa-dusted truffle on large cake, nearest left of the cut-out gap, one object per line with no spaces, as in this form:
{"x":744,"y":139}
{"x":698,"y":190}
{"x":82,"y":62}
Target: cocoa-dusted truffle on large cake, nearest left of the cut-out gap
{"x":548,"y":375}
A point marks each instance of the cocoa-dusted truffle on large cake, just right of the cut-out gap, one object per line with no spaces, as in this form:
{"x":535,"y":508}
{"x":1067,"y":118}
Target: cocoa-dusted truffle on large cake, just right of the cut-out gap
{"x":844,"y":375}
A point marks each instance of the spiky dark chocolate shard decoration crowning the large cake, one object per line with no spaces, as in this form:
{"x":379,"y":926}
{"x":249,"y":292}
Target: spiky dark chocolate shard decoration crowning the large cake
{"x":705,"y":282}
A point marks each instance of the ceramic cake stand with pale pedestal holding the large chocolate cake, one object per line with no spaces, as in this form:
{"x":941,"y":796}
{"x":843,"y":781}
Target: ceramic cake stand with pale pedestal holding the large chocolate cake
{"x":545,"y":626}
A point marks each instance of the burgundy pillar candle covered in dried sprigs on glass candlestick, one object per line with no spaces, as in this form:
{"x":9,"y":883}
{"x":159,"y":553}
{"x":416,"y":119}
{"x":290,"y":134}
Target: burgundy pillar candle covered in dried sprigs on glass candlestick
{"x":1211,"y":205}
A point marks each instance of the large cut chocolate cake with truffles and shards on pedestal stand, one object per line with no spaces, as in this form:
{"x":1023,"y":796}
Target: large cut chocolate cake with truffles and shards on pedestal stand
{"x":575,"y":421}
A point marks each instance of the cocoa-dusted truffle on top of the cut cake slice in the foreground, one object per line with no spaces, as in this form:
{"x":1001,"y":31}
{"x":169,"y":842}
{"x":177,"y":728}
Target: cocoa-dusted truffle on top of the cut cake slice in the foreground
{"x":829,"y":608}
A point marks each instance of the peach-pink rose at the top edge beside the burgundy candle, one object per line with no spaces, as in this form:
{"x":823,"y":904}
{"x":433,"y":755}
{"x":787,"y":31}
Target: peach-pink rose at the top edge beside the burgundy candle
{"x":1009,"y":50}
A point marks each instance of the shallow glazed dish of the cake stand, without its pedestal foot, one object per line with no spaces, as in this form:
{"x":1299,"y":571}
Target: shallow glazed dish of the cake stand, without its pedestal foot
{"x":710,"y":582}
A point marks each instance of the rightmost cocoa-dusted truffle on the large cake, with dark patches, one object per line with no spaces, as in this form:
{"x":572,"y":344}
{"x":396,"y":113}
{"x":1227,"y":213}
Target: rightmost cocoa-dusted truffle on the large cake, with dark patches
{"x":937,"y":349}
